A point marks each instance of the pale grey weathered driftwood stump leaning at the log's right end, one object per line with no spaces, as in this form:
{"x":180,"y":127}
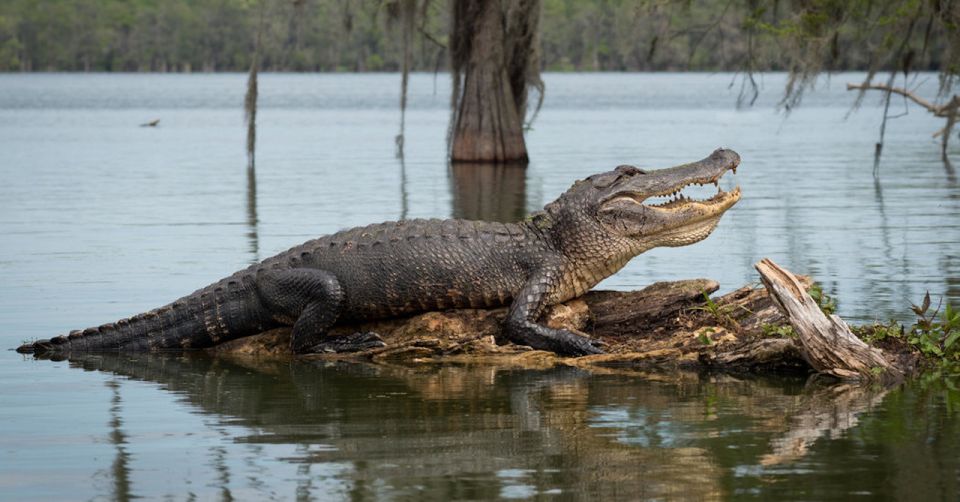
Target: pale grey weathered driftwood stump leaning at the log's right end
{"x":826,"y":342}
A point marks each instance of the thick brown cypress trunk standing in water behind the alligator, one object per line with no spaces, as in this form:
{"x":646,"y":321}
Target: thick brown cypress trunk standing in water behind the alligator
{"x":487,"y":124}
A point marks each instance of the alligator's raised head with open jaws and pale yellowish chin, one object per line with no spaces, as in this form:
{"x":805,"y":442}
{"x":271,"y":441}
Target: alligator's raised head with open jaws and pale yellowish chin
{"x":648,"y":208}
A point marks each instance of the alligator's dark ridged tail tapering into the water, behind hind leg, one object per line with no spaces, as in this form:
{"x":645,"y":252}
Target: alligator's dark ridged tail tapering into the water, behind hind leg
{"x":223,"y":311}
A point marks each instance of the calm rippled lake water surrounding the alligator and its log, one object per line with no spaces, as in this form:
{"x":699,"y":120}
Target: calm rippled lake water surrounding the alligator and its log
{"x":100,"y":218}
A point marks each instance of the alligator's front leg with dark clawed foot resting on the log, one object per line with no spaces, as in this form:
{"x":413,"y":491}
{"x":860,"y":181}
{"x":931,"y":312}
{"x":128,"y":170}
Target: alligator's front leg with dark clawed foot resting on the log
{"x":521,"y":323}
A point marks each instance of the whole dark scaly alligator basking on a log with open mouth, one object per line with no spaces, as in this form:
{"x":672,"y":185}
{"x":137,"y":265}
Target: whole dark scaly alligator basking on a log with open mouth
{"x":400,"y":268}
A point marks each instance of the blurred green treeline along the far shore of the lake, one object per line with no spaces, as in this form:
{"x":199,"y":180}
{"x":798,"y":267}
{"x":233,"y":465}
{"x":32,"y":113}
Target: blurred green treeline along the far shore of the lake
{"x":351,"y":35}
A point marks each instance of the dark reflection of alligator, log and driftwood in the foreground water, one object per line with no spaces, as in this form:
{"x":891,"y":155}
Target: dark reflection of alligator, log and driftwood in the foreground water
{"x":480,"y":432}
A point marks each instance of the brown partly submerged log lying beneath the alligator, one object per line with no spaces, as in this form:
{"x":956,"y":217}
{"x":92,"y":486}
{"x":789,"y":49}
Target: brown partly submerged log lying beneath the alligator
{"x":667,"y":324}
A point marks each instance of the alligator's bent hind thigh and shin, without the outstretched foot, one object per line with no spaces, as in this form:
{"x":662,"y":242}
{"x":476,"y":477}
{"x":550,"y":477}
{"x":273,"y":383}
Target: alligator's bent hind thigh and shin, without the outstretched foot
{"x":309,"y":298}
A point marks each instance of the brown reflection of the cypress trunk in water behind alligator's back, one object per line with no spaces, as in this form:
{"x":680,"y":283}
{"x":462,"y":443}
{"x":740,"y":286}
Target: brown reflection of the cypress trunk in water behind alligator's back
{"x":492,"y":192}
